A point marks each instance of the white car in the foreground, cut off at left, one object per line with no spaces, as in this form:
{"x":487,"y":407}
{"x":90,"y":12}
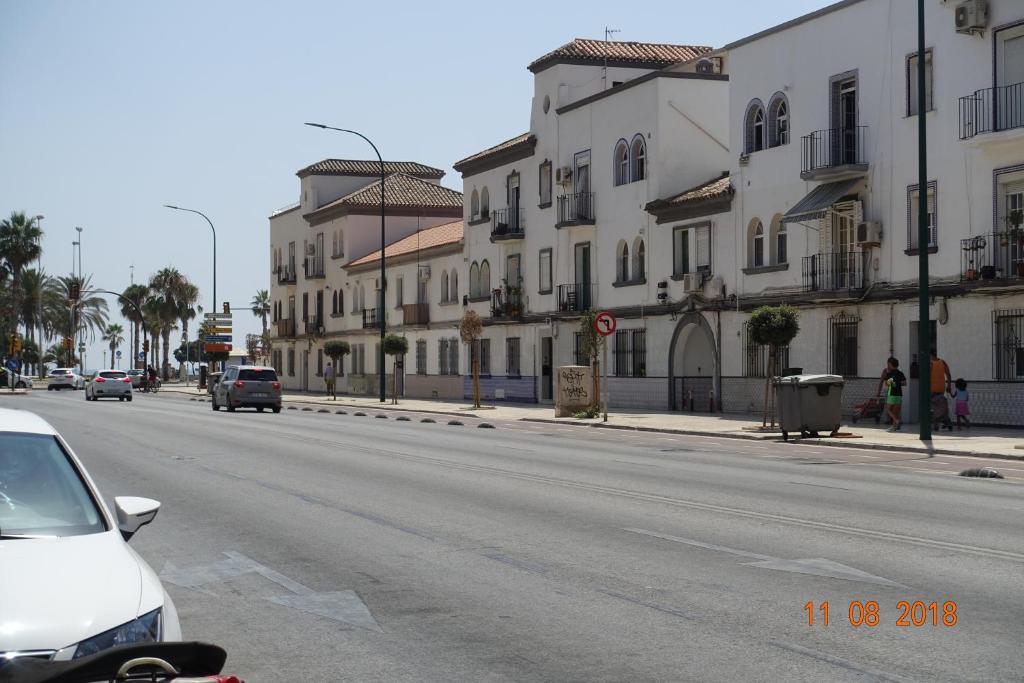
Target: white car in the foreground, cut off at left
{"x":70,"y":584}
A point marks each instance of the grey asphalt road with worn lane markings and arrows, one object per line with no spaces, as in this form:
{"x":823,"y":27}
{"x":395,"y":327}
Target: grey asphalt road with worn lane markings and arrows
{"x":329,"y":547}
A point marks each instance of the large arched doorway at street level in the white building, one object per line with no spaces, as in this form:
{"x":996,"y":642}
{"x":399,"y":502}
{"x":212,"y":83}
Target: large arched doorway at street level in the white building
{"x":694,"y":365}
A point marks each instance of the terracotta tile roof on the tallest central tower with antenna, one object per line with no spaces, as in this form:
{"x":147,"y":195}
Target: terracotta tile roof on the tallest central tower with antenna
{"x":651,"y":56}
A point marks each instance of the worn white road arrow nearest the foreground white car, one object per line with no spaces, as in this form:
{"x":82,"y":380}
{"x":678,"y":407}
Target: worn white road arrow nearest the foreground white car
{"x":345,"y":607}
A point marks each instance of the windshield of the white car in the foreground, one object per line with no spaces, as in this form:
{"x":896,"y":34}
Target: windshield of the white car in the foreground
{"x":41,"y":494}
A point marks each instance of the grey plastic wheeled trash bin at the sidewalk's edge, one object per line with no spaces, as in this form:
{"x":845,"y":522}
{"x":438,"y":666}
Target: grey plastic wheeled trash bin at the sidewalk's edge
{"x":809,"y":404}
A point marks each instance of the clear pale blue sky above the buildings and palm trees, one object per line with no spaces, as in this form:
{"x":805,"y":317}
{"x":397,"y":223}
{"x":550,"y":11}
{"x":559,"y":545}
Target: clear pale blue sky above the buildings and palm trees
{"x":111,"y":110}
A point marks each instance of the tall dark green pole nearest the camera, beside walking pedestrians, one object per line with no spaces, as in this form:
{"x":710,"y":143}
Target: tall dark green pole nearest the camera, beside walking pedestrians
{"x":924,"y":338}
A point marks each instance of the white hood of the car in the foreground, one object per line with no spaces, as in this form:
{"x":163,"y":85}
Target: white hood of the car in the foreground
{"x":57,"y":592}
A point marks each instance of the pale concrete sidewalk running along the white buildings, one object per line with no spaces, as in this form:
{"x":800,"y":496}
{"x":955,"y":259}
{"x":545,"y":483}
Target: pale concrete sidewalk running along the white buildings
{"x":989,"y":443}
